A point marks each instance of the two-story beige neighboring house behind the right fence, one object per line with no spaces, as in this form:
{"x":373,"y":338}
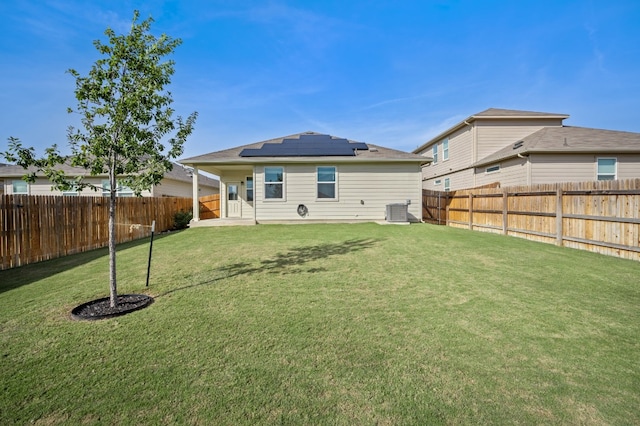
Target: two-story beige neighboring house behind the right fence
{"x":513,"y":147}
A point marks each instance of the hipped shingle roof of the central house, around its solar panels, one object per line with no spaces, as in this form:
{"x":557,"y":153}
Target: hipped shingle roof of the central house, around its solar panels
{"x":359,"y":152}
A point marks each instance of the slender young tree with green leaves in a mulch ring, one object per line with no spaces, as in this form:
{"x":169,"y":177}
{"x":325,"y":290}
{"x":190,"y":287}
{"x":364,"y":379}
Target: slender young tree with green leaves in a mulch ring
{"x":126,"y":115}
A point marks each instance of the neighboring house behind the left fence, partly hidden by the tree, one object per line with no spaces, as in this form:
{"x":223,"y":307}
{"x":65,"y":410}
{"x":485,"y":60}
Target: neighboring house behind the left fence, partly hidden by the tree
{"x":176,"y":183}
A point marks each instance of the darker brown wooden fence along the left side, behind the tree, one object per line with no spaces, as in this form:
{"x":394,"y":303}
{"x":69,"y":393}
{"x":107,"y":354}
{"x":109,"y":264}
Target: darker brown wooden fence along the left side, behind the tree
{"x":37,"y":228}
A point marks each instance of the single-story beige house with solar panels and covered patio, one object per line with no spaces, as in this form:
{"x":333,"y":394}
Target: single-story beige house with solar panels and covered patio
{"x":314,"y":177}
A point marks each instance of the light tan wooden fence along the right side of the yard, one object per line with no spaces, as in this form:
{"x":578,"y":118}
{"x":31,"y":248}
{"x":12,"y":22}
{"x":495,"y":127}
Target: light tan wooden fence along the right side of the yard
{"x":603,"y":217}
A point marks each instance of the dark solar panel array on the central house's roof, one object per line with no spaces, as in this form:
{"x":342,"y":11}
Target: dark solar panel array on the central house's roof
{"x":306,"y":146}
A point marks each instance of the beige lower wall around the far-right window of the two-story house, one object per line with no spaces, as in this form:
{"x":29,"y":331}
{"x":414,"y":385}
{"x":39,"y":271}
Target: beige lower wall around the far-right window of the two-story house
{"x":552,"y":168}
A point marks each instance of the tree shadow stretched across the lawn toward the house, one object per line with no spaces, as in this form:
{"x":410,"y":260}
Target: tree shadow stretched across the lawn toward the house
{"x":287,"y":263}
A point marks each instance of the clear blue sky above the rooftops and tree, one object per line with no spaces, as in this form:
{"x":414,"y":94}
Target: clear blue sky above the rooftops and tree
{"x":392,"y":73}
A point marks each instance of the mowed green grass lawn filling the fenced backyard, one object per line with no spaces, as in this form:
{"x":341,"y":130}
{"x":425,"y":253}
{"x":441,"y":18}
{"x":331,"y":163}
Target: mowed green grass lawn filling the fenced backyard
{"x":327,"y":324}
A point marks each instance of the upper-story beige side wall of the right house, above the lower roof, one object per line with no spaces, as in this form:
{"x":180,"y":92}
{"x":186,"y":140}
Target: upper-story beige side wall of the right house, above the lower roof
{"x":493,"y":135}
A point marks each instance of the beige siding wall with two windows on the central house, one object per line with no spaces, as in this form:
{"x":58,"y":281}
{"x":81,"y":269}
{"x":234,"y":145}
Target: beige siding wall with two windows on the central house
{"x":363,"y":191}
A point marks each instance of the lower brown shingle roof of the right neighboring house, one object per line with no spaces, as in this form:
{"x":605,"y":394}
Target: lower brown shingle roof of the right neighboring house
{"x":568,"y":140}
